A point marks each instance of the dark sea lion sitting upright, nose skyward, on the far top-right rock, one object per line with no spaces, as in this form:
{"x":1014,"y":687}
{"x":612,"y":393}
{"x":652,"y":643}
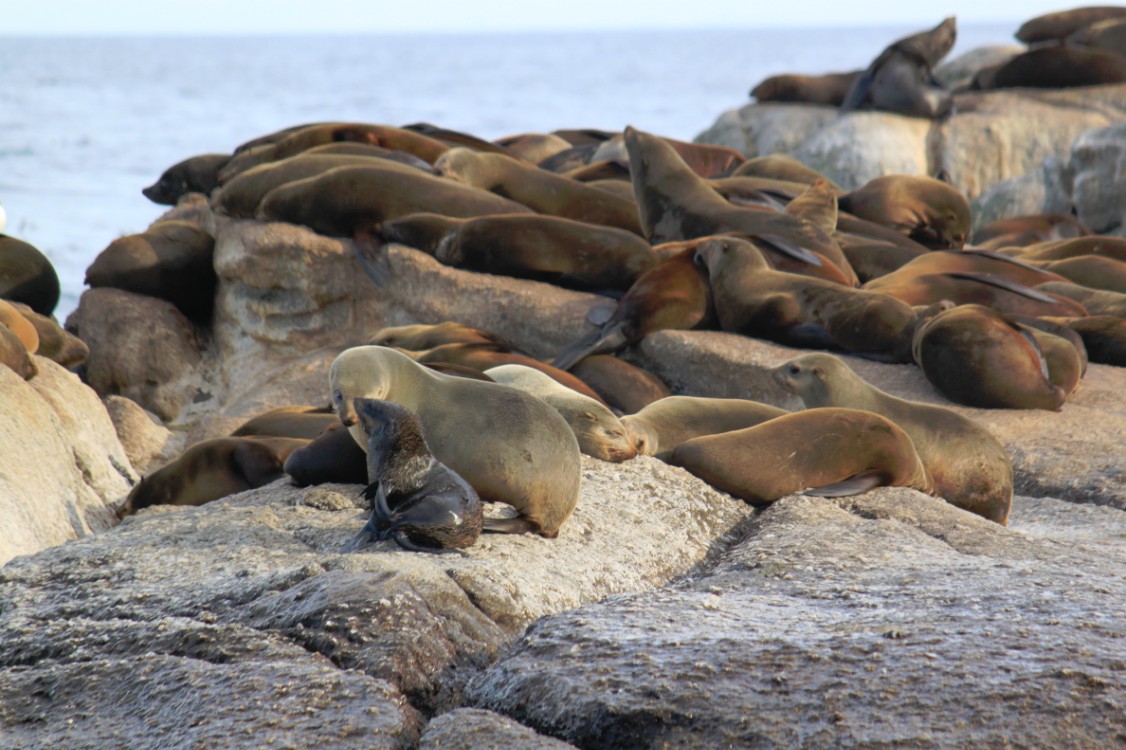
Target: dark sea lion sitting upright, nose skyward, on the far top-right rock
{"x":902,"y":78}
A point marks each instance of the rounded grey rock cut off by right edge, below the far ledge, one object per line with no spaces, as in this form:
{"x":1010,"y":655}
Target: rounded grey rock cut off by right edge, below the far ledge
{"x":1098,"y":166}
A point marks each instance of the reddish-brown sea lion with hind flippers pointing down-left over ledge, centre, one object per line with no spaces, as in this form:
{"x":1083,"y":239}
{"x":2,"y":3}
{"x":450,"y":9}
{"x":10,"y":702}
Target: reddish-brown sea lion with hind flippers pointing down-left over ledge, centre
{"x":673,"y":296}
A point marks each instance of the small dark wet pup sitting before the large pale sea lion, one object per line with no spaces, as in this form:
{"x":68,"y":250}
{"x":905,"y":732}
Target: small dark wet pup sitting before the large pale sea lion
{"x":417,"y":501}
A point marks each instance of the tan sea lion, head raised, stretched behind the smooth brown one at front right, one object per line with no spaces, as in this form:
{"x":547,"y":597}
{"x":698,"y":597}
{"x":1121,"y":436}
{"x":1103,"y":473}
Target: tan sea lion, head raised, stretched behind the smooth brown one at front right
{"x":968,"y":466}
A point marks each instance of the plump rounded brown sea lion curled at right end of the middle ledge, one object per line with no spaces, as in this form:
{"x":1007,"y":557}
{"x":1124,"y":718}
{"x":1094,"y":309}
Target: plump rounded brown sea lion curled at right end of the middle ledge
{"x":976,"y":356}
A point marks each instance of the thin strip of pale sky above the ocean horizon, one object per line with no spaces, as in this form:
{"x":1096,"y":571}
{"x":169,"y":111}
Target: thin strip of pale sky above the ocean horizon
{"x":190,"y":17}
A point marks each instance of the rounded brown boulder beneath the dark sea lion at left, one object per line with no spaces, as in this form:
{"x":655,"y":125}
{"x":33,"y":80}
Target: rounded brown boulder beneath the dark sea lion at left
{"x":141,"y":347}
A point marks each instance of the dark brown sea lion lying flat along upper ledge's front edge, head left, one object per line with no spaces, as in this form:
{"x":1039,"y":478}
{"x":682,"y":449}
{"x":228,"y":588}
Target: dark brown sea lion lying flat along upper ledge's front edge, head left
{"x":562,"y":252}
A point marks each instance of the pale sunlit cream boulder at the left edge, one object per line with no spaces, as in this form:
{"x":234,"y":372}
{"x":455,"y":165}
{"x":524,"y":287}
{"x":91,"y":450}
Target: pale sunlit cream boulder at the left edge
{"x":62,"y":471}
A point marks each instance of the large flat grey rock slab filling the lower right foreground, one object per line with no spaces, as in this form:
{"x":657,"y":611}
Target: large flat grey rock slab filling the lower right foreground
{"x":844,"y":623}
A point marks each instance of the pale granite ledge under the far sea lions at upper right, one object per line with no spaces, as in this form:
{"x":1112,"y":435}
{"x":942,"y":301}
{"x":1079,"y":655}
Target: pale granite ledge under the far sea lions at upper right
{"x":993,"y":137}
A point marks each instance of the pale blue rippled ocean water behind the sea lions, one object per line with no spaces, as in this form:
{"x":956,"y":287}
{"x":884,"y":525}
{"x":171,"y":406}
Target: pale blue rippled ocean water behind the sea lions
{"x":87,"y":123}
